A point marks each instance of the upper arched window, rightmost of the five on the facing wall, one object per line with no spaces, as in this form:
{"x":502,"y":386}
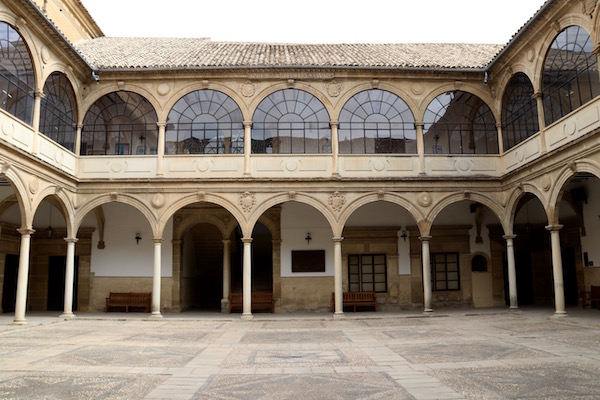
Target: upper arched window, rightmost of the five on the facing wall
{"x":458,"y":122}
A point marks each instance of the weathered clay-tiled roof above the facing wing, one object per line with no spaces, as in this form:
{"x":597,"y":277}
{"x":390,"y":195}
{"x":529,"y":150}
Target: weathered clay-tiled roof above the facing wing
{"x":166,"y":53}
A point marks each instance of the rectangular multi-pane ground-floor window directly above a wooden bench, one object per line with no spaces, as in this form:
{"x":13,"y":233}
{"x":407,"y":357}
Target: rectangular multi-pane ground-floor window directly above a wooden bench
{"x":367,"y":273}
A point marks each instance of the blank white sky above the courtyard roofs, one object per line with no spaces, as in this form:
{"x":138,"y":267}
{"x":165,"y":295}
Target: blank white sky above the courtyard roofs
{"x":317,"y":21}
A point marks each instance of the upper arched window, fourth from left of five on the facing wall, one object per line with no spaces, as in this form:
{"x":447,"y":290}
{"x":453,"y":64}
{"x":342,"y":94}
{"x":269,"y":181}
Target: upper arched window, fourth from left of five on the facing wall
{"x":376,"y":121}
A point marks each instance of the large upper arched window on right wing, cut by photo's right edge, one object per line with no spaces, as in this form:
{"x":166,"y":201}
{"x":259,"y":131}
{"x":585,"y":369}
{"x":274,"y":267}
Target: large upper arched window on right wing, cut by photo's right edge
{"x":570,"y":73}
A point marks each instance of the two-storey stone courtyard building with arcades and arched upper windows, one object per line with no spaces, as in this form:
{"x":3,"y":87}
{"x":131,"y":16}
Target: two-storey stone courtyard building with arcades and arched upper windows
{"x":434,"y":175}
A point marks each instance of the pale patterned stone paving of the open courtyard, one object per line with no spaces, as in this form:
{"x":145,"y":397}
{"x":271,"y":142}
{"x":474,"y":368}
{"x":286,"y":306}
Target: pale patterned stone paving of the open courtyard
{"x":455,"y":354}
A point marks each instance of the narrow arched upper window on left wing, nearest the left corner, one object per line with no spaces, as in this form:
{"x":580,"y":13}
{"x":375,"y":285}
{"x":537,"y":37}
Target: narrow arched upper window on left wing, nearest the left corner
{"x":58,"y":112}
